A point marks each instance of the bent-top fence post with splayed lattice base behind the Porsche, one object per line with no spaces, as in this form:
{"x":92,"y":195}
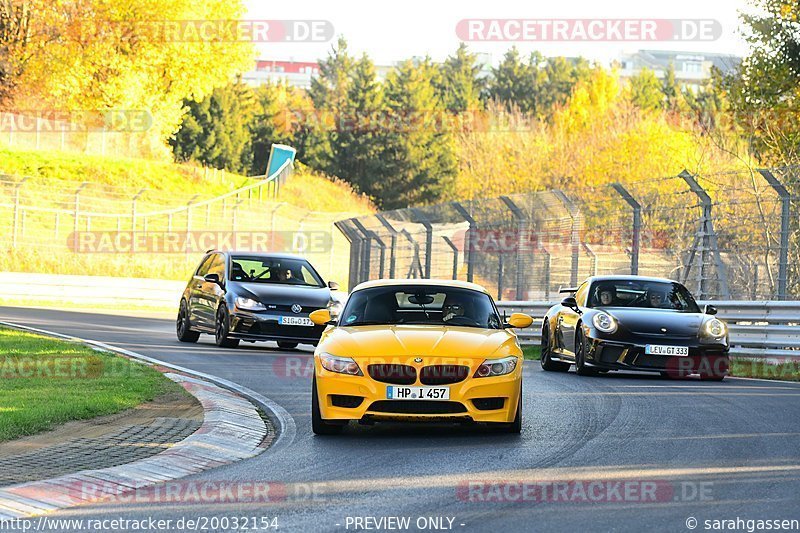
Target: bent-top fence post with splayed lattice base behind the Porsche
{"x":706,"y":240}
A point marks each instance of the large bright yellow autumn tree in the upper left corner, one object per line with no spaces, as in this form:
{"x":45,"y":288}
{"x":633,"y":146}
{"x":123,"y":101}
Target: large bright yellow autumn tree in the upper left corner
{"x":118,"y":56}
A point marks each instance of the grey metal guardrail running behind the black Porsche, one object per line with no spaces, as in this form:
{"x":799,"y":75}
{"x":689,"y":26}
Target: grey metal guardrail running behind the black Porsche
{"x":757,"y":329}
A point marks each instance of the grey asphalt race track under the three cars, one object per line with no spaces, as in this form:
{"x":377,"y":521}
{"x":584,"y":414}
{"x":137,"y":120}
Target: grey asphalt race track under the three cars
{"x":714,"y":451}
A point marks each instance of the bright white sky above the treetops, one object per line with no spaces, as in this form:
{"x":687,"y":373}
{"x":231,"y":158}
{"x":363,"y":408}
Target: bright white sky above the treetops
{"x":389,"y":31}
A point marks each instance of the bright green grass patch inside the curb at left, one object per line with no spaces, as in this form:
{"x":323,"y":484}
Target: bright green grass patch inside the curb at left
{"x":46,"y":382}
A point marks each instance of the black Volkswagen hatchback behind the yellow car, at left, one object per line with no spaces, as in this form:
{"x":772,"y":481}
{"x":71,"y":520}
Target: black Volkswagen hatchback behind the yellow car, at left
{"x":245,"y":296}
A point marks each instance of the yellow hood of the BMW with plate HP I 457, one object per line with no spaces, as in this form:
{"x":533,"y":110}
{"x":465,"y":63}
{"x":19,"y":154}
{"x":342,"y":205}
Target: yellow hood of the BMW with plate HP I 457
{"x":416,"y":340}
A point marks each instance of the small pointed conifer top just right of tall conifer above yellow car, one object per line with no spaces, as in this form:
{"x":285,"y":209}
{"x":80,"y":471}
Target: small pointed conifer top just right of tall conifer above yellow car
{"x":460,"y":85}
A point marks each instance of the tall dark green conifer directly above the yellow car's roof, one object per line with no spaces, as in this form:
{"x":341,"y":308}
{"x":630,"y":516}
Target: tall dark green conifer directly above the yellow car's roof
{"x":419,"y":155}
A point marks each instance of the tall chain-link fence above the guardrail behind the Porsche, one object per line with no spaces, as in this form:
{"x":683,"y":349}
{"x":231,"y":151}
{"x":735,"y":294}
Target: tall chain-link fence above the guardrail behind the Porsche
{"x":726,"y":236}
